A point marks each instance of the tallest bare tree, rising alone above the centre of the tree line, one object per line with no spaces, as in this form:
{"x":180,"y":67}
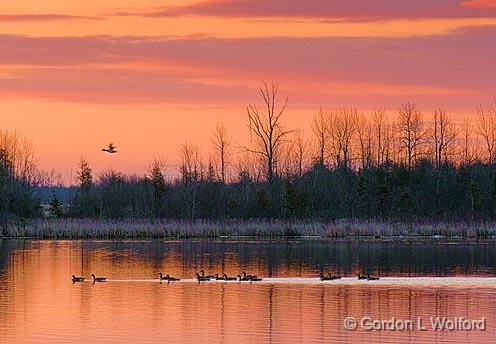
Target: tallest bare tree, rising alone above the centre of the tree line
{"x":266,"y":127}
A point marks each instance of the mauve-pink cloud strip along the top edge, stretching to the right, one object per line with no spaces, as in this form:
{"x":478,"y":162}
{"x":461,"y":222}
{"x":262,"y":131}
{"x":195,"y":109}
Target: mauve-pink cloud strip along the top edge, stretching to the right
{"x":352,"y":10}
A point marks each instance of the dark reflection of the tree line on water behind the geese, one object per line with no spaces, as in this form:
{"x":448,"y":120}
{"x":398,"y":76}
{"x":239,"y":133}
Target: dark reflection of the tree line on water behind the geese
{"x":301,"y":258}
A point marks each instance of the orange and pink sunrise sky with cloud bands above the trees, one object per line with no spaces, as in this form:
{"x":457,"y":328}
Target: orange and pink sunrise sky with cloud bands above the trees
{"x":149,"y":75}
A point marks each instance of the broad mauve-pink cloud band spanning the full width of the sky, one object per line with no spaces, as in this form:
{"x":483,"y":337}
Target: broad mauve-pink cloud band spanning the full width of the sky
{"x":213,"y":70}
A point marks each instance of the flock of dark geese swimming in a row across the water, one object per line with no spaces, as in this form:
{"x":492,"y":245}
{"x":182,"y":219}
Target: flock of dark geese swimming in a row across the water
{"x":242,"y":277}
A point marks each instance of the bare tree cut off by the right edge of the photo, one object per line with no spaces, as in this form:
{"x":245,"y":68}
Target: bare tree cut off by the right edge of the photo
{"x":486,"y":128}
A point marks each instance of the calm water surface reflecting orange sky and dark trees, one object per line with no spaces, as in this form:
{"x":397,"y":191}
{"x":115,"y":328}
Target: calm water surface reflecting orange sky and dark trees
{"x":39,"y":304}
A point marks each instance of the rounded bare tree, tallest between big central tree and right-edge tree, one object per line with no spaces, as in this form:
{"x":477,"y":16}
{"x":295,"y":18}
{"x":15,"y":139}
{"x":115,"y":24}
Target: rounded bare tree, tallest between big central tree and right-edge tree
{"x":411,"y":133}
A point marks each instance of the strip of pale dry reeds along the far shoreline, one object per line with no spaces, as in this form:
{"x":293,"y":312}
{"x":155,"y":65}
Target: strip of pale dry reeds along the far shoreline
{"x":107,"y":229}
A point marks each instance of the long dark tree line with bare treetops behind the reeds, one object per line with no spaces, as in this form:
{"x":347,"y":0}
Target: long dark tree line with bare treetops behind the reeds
{"x":351,"y":165}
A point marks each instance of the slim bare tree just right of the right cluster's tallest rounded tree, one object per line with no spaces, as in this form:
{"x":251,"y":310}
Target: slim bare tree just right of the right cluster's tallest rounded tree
{"x":444,"y":135}
